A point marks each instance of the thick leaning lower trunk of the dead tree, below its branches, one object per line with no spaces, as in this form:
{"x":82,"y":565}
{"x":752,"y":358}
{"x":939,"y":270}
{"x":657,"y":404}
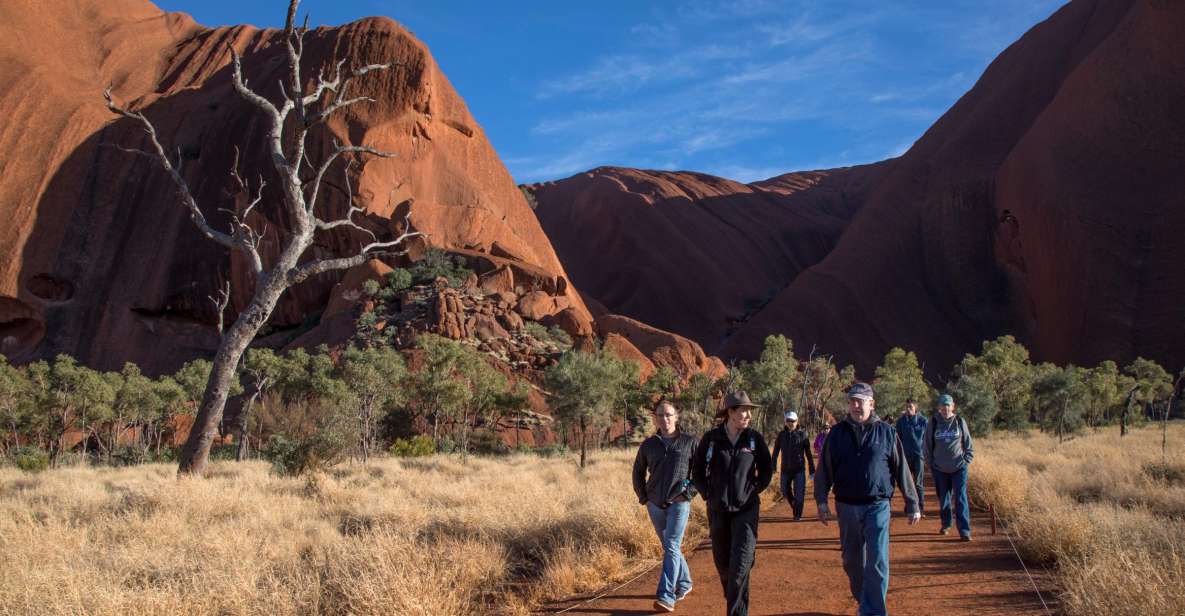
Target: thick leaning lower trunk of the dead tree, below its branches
{"x":196,"y":452}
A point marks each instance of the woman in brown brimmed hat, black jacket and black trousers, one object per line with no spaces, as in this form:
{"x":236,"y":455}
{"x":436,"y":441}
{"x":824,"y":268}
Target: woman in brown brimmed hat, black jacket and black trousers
{"x":731,"y":469}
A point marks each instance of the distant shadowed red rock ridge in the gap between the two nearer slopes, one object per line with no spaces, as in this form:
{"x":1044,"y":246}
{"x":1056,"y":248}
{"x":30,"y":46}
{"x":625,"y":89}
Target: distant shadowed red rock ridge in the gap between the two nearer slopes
{"x":690,"y":253}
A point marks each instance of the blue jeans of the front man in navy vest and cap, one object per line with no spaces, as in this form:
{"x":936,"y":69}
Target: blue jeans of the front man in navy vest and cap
{"x":864,"y":543}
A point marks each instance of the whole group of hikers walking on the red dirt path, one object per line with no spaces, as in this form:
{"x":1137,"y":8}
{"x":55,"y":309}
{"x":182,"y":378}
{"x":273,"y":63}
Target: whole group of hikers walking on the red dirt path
{"x":860,"y":460}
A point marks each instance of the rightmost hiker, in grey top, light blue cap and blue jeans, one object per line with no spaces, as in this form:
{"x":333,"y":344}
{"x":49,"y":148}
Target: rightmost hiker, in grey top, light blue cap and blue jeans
{"x":949,"y":453}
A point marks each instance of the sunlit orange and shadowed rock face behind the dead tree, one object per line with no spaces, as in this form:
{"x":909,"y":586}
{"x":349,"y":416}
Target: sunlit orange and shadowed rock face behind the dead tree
{"x":98,"y":258}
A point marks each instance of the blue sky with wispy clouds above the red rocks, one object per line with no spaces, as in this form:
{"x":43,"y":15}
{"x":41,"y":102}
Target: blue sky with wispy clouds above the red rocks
{"x":746,"y":89}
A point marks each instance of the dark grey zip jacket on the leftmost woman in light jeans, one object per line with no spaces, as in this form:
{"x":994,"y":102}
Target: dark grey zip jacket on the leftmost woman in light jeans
{"x":663,"y":470}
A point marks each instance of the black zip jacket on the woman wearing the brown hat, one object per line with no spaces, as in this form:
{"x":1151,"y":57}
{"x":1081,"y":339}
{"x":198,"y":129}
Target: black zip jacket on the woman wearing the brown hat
{"x":732,"y":477}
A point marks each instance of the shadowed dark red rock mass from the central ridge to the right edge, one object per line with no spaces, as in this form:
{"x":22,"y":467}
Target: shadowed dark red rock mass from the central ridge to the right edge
{"x":1047,"y":203}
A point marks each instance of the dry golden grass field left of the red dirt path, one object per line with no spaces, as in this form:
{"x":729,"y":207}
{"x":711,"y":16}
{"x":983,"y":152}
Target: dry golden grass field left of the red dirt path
{"x":415,"y":537}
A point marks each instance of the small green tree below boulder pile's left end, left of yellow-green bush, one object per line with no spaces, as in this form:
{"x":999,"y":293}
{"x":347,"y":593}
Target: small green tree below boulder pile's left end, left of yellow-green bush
{"x":373,"y":376}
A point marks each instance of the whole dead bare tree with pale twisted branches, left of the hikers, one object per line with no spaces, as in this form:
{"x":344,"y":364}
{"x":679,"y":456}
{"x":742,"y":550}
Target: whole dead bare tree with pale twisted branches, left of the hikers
{"x":303,"y":108}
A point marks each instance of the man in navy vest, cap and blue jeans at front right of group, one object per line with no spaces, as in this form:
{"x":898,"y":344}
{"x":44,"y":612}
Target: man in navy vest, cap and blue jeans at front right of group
{"x":862,"y":459}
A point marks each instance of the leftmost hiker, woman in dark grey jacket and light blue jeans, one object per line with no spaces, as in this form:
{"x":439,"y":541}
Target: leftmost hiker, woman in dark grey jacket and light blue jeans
{"x":663,"y":483}
